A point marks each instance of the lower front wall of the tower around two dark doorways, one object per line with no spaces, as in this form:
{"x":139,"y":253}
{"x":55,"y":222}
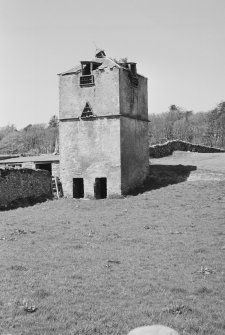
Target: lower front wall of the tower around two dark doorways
{"x":90,"y":149}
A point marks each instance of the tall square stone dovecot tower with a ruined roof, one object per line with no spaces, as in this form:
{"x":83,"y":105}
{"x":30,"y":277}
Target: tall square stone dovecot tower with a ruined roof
{"x":103,"y":113}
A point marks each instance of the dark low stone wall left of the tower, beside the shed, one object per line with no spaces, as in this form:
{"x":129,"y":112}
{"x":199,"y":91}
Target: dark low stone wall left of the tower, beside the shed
{"x":23,"y":187}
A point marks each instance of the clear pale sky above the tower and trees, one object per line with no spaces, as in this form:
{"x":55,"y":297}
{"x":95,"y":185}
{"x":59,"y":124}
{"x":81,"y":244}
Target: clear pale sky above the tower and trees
{"x":177,"y":44}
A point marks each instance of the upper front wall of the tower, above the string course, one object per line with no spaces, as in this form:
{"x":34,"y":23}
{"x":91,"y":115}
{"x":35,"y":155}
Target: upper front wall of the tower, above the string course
{"x":103,"y":97}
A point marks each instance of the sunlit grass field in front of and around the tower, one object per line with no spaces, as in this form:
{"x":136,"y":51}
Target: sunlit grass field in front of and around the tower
{"x":107,"y":266}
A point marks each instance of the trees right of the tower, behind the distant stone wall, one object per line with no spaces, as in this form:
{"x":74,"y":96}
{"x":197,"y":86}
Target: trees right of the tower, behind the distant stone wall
{"x":206,"y":128}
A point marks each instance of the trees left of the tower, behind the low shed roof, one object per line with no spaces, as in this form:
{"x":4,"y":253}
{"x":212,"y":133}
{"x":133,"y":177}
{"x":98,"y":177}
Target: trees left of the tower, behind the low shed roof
{"x":31,"y":140}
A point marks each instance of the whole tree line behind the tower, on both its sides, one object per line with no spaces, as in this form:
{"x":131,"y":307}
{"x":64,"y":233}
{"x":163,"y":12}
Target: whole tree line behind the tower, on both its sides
{"x":206,"y":128}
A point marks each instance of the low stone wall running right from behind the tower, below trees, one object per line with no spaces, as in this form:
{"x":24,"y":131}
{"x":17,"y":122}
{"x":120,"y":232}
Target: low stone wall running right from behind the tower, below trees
{"x":166,"y":149}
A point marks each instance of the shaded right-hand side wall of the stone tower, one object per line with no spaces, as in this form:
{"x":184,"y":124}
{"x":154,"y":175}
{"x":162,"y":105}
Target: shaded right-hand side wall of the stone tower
{"x":134,"y":132}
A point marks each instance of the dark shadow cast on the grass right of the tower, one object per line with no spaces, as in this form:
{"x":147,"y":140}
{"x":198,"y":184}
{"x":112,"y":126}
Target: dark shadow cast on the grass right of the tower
{"x":164,"y":175}
